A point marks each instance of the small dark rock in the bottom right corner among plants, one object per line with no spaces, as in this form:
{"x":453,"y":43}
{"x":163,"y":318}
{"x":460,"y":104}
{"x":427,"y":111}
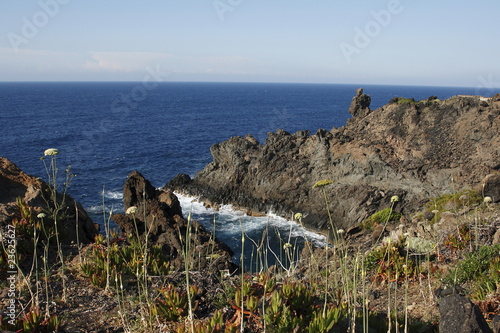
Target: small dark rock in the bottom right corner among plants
{"x":459,"y":315}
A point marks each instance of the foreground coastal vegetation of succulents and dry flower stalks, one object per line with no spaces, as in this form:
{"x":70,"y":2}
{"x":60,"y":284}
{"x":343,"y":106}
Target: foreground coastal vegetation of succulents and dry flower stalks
{"x":363,"y":282}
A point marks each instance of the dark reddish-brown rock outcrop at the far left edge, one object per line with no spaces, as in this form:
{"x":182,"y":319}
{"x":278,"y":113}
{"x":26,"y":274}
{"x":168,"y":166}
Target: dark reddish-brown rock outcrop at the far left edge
{"x":14,"y":184}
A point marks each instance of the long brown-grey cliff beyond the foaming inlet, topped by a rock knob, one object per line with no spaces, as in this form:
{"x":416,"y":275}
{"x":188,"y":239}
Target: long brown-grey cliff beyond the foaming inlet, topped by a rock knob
{"x":414,"y":150}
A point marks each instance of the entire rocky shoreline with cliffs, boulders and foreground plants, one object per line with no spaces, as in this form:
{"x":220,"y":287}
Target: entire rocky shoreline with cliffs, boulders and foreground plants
{"x":415,"y":185}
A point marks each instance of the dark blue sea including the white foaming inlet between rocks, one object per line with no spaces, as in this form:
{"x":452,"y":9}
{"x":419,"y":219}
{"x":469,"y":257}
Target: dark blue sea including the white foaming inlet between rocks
{"x":106,"y":130}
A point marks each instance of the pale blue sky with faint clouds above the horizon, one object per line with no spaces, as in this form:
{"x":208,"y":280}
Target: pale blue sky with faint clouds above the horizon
{"x":411,"y":42}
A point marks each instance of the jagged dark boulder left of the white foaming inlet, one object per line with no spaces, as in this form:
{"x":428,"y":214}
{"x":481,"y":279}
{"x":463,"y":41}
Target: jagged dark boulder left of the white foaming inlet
{"x":159,"y":217}
